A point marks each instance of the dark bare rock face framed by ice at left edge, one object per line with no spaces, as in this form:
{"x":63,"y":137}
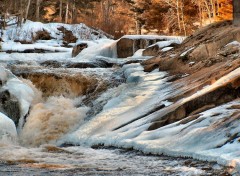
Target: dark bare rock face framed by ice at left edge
{"x":9,"y":106}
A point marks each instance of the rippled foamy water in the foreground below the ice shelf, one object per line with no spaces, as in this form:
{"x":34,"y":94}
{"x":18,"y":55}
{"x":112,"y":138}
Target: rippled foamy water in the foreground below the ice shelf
{"x":50,"y":160}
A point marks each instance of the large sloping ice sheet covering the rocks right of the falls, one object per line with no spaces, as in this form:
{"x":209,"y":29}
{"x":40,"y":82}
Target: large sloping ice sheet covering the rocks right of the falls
{"x":122,"y":122}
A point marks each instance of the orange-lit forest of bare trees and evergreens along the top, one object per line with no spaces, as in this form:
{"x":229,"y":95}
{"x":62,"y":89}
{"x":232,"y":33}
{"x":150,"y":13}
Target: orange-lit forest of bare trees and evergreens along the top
{"x":120,"y":17}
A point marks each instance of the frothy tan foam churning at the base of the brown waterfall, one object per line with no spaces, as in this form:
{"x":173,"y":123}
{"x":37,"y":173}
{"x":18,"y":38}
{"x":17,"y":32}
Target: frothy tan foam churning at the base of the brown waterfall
{"x":49,"y":121}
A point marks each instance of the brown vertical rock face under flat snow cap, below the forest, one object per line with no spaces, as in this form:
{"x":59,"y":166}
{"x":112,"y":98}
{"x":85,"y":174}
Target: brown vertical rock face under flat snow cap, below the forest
{"x":126,"y":47}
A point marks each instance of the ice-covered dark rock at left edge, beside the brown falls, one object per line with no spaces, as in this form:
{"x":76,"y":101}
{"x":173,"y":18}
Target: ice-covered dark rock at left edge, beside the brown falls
{"x":16,"y":97}
